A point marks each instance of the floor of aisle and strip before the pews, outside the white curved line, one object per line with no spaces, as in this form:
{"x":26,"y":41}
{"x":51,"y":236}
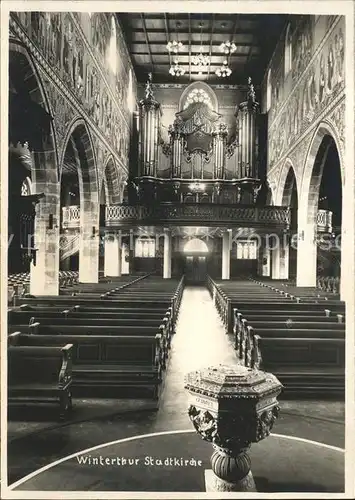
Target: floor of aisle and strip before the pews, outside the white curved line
{"x":200,"y":341}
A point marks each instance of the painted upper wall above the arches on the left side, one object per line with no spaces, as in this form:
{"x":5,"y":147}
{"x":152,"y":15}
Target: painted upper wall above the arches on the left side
{"x":71,"y":54}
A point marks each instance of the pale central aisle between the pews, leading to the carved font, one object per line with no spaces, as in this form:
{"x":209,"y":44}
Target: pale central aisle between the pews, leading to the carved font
{"x":200,"y":341}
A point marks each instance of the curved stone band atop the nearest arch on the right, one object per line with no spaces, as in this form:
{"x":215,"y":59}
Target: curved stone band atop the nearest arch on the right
{"x":314,"y":164}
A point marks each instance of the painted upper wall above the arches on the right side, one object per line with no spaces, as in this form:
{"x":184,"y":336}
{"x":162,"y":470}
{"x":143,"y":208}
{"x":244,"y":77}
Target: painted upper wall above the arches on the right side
{"x":310,"y":96}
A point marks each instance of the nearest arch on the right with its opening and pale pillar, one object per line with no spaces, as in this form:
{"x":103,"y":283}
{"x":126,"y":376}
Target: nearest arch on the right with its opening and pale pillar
{"x":321,"y":190}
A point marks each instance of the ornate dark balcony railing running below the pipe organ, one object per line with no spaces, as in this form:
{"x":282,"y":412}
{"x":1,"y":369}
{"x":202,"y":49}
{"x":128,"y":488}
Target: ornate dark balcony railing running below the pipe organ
{"x":197,"y":214}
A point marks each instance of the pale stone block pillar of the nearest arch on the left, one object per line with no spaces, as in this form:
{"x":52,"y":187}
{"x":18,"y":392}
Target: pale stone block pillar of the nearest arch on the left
{"x":44,"y":276}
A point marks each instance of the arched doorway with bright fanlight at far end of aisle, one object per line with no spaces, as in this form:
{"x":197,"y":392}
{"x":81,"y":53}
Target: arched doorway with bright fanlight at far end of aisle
{"x":195,"y":251}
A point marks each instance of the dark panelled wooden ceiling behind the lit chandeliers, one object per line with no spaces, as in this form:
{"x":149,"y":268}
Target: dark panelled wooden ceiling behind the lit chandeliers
{"x":255,"y":37}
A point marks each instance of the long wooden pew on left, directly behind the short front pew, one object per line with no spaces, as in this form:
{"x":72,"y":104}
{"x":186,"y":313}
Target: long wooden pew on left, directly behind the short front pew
{"x":108,"y":365}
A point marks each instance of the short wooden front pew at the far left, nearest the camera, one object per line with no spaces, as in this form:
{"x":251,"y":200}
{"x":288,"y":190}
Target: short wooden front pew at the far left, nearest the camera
{"x":41,"y":375}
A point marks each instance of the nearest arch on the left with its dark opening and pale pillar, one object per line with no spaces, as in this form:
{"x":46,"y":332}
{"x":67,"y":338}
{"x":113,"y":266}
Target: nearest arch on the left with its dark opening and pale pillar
{"x":32,"y":155}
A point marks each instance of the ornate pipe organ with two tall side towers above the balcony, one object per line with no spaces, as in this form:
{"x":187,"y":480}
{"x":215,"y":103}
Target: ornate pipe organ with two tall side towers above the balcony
{"x":205,"y":161}
